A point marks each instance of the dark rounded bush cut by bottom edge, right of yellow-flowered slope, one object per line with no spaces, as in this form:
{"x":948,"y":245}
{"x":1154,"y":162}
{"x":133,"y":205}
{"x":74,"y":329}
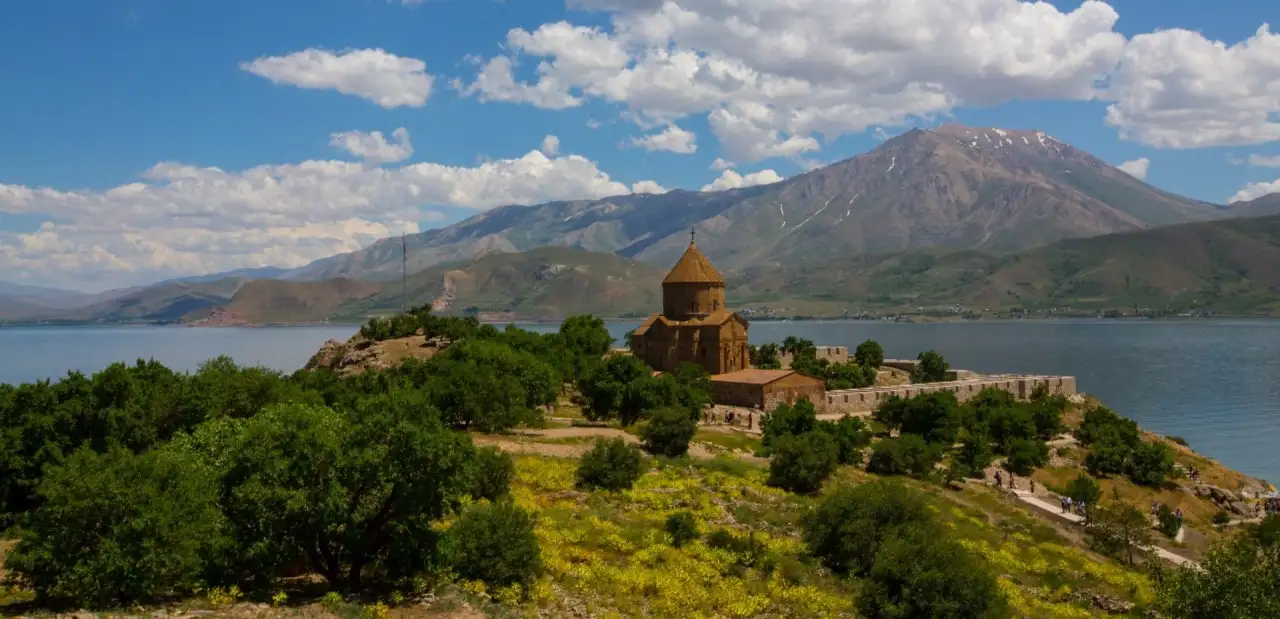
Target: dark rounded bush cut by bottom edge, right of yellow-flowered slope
{"x":920,"y":575}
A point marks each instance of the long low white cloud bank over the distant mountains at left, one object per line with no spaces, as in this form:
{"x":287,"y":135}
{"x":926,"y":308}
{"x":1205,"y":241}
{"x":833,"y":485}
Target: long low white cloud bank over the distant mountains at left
{"x":181,"y":219}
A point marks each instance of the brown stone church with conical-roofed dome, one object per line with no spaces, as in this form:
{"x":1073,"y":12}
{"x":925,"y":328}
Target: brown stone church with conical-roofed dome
{"x":694,"y":325}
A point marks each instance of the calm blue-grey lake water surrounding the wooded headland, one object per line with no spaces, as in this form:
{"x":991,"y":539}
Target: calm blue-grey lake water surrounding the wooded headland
{"x":1214,"y":383}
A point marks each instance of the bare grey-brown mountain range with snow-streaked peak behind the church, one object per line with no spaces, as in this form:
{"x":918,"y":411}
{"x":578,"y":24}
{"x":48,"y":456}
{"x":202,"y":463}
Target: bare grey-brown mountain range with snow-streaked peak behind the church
{"x":956,"y":187}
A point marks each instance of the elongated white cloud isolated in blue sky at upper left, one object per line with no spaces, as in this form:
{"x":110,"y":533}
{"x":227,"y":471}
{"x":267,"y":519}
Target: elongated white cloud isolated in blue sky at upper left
{"x":378,"y":76}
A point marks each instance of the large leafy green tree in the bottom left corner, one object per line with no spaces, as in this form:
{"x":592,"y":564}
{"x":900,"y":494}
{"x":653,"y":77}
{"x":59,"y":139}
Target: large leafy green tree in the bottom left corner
{"x":118,"y":528}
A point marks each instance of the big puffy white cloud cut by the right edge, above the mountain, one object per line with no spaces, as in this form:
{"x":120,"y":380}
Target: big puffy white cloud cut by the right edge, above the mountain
{"x":1178,"y":90}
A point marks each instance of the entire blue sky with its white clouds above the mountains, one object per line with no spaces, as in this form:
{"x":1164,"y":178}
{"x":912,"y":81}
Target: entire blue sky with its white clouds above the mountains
{"x":116,"y":112}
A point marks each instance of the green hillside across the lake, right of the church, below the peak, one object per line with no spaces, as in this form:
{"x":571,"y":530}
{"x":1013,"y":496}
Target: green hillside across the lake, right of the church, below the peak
{"x":1224,"y":267}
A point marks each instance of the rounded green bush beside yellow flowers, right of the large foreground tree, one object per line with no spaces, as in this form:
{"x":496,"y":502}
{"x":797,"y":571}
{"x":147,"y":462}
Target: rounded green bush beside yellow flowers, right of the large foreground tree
{"x":496,"y":544}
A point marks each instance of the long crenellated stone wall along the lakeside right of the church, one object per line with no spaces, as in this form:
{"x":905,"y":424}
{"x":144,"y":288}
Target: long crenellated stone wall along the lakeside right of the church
{"x":865,"y":401}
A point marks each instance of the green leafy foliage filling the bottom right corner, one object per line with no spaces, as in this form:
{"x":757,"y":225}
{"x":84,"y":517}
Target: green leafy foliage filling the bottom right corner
{"x":1238,"y":579}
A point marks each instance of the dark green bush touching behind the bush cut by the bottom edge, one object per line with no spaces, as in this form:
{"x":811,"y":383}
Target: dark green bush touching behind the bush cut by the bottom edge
{"x":848,"y":528}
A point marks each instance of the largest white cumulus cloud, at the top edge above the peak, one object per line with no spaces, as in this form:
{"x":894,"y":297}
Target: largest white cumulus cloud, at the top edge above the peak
{"x":774,"y":77}
